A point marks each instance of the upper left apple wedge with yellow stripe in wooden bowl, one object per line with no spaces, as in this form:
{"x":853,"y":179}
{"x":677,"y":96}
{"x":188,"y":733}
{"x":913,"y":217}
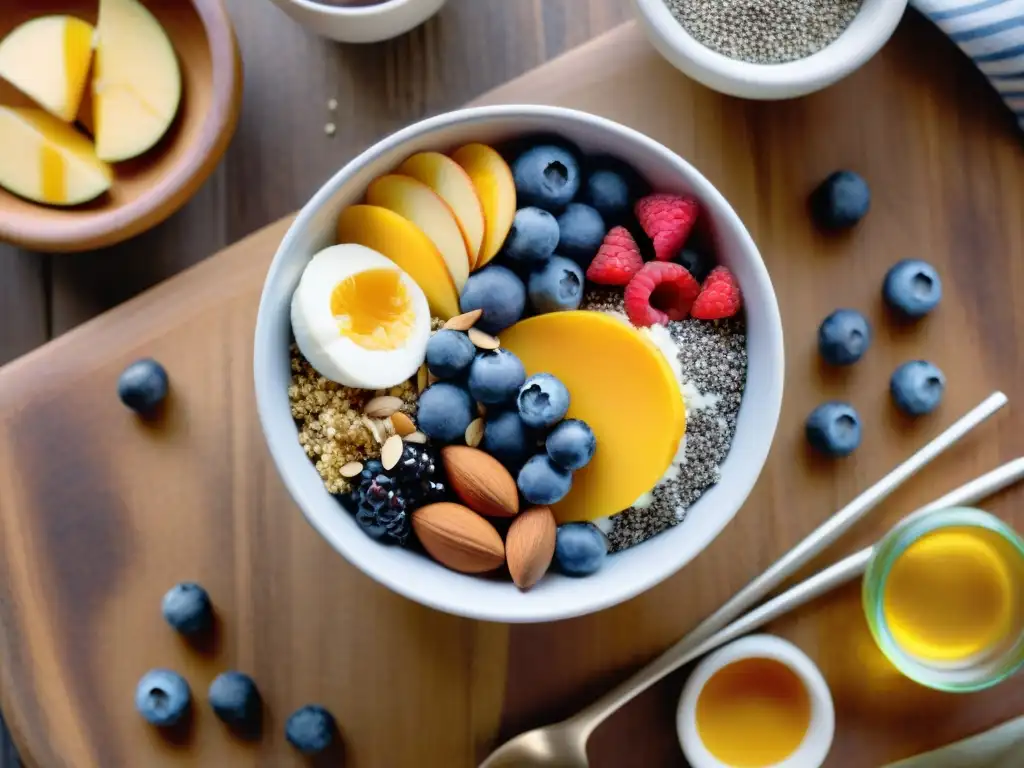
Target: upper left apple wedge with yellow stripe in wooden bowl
{"x":48,"y":59}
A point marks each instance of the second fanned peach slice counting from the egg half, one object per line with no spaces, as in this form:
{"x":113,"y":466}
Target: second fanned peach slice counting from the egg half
{"x":418,"y":203}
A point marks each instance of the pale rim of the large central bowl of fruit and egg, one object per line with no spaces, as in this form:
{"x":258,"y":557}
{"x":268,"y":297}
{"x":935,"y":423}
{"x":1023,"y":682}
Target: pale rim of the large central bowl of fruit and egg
{"x":305,"y":494}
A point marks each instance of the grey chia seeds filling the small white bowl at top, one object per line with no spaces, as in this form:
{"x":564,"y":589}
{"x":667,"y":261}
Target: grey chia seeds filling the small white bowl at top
{"x":765,"y":31}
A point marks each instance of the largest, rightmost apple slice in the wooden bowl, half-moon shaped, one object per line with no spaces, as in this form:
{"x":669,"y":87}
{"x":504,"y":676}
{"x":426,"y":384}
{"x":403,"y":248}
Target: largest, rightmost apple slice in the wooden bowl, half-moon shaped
{"x":137,"y":84}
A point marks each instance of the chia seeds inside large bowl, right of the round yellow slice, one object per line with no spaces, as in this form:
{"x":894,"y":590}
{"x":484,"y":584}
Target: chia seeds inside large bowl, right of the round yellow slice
{"x":712,"y":358}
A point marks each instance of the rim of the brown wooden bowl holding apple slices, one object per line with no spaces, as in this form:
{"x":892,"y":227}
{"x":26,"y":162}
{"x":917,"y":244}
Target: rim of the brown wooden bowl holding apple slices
{"x":108,"y":227}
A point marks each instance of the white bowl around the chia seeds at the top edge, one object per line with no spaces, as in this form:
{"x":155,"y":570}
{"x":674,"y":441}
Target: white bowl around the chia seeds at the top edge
{"x":870,"y":30}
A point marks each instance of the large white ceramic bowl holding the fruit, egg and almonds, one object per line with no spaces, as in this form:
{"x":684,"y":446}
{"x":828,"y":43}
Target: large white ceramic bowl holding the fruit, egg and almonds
{"x":625,"y":575}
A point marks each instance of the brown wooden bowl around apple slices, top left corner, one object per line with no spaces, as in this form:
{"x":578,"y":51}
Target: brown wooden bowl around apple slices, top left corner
{"x":151,"y":188}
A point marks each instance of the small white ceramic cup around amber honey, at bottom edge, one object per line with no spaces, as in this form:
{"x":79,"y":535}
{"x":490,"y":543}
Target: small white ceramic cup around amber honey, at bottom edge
{"x":813,"y":751}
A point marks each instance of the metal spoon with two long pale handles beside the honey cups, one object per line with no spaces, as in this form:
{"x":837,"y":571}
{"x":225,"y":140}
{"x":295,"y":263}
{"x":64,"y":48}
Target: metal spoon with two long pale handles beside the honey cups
{"x":565,"y":744}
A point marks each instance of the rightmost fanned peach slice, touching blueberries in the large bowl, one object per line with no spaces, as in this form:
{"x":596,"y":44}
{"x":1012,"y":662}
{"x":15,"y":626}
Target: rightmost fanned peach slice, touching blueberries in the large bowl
{"x":493,"y":180}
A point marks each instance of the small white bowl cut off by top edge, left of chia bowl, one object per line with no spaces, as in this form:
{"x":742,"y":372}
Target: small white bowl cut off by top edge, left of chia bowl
{"x":361,"y":24}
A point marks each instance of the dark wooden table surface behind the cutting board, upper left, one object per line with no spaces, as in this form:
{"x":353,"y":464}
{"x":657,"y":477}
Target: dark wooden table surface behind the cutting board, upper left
{"x":282,"y":153}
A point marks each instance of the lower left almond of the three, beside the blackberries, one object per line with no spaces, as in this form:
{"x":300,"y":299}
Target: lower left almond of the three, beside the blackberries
{"x":458,"y":538}
